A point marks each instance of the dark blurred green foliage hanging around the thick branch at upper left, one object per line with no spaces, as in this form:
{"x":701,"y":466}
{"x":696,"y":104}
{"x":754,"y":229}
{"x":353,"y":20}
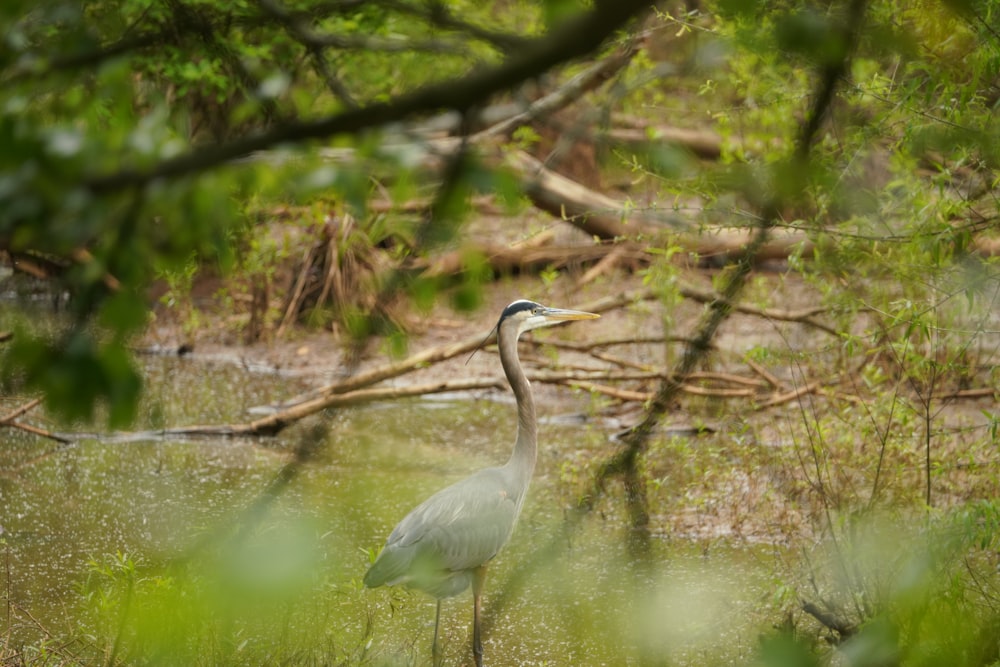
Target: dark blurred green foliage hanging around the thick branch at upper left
{"x":97,"y":94}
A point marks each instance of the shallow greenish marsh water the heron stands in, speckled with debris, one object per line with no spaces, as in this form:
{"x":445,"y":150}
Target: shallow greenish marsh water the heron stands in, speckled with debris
{"x":80,"y":519}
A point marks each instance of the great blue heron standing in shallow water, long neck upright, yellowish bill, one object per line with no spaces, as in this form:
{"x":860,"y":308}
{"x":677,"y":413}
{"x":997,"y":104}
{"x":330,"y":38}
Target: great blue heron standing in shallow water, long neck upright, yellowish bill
{"x":446,"y":542}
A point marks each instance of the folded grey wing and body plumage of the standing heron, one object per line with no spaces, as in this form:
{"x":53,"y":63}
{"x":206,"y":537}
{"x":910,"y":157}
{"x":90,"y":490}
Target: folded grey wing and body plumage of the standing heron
{"x":457,"y":529}
